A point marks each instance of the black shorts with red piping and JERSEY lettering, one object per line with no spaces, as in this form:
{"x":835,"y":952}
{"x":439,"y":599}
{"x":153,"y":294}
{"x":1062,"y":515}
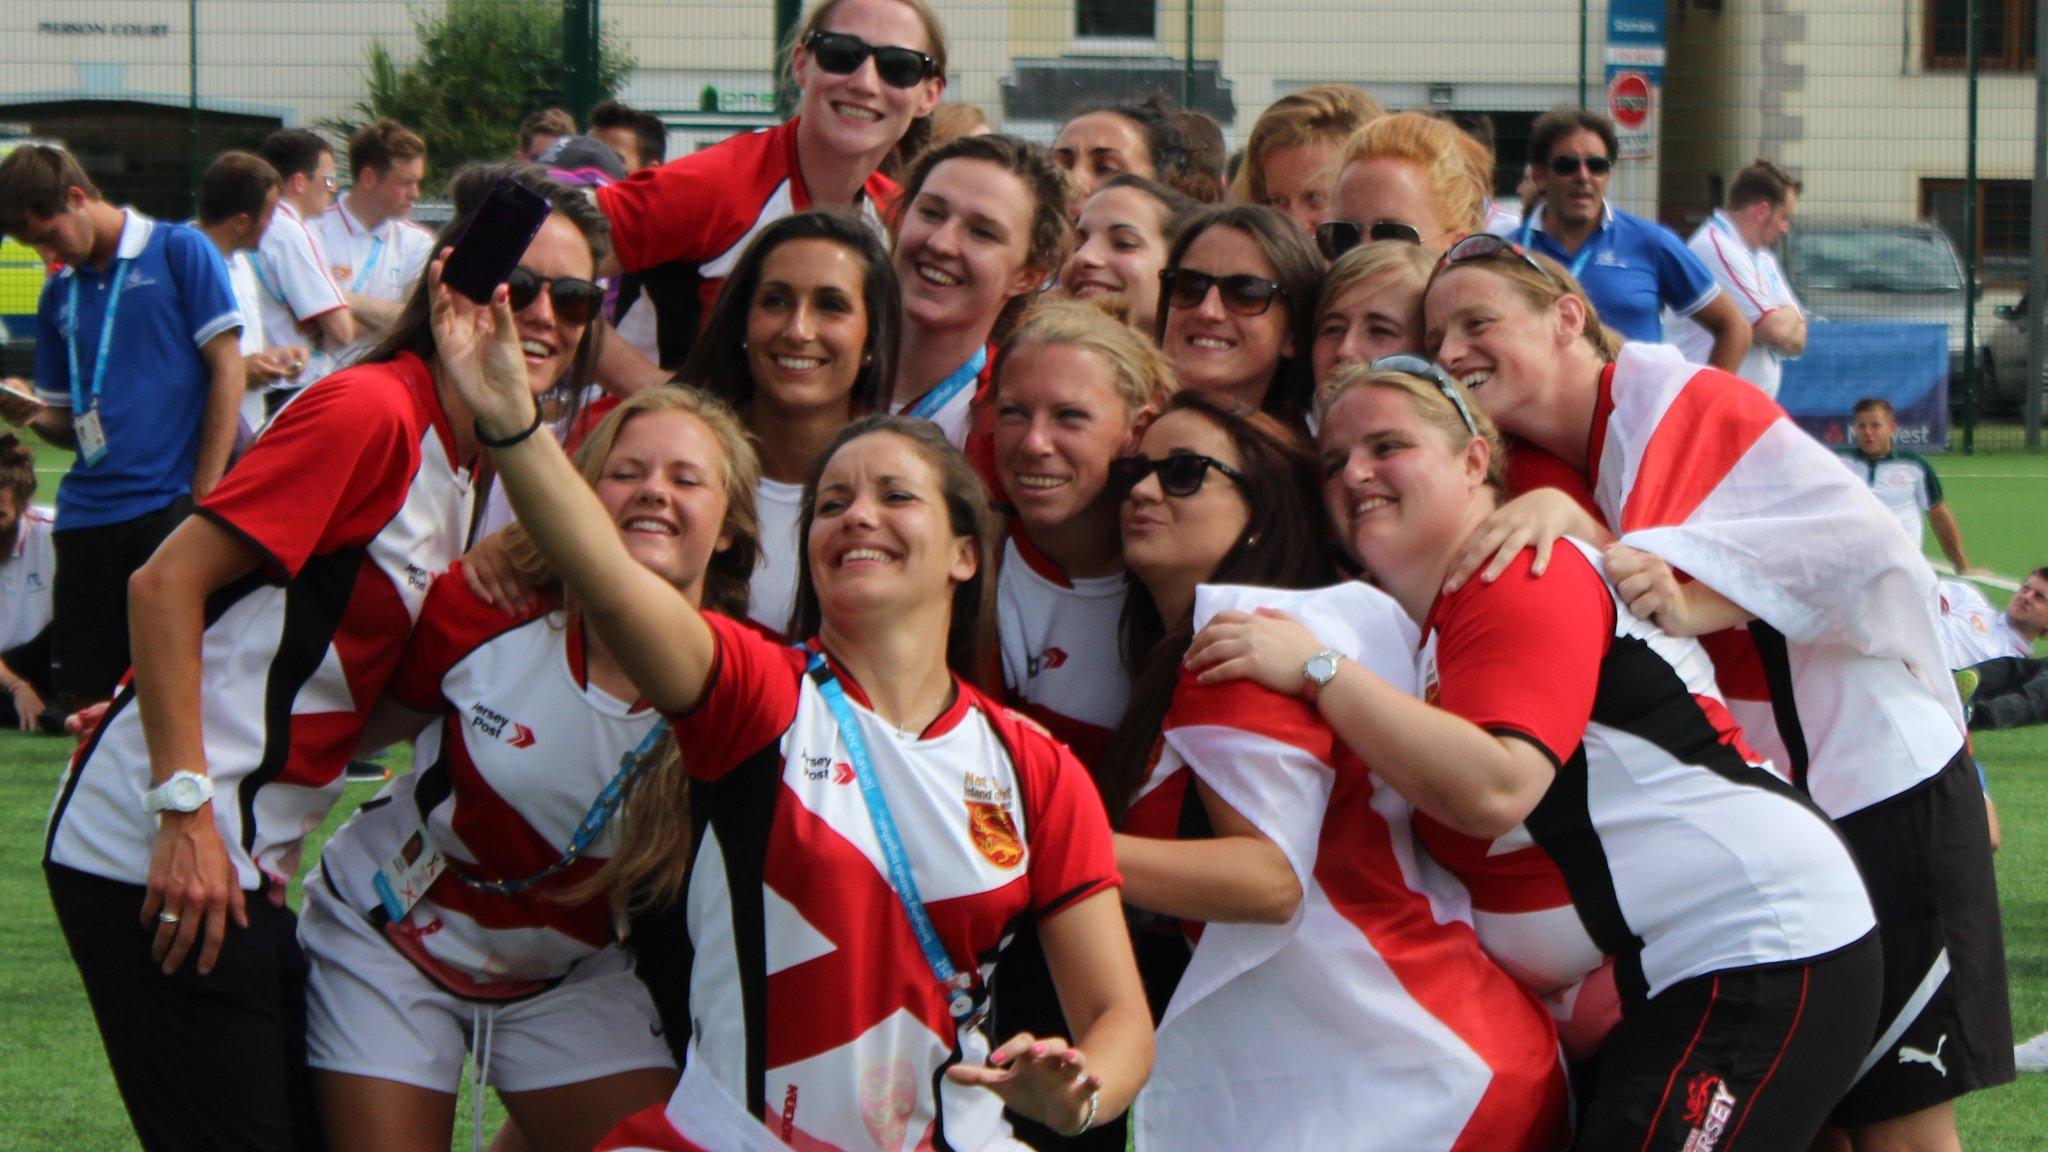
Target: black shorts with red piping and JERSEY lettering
{"x":1736,"y":1061}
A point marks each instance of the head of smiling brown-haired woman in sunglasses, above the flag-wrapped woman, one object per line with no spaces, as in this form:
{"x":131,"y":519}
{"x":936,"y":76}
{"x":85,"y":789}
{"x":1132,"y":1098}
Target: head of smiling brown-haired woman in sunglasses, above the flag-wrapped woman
{"x":1236,"y":308}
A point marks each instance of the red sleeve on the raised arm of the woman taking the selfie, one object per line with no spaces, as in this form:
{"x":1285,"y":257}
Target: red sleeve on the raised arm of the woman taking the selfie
{"x":749,"y":704}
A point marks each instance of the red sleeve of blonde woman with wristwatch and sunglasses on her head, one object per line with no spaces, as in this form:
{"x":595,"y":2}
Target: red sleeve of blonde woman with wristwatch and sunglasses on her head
{"x":1523,"y":655}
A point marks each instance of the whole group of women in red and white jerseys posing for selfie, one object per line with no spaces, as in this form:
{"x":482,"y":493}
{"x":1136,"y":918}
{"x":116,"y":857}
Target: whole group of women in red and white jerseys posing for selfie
{"x":1058,"y":665}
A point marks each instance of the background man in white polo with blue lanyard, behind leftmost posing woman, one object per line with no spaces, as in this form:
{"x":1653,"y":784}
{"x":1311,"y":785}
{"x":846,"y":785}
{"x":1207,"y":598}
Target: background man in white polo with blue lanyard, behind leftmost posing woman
{"x":374,"y":251}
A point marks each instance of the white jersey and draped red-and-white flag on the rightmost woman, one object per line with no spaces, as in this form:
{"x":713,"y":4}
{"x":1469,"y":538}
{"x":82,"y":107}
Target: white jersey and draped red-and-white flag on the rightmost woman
{"x":1715,"y":479}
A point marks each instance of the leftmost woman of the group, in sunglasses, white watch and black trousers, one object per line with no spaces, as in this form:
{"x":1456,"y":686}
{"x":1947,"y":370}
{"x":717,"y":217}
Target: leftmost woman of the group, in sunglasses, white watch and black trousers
{"x":265,"y":630}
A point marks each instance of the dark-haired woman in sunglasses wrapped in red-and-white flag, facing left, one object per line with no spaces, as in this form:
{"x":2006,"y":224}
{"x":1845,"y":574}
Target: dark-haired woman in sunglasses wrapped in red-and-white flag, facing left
{"x":1328,"y":1001}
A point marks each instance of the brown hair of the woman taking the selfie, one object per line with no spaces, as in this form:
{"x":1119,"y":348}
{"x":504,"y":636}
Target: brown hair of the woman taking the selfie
{"x":972,"y":634}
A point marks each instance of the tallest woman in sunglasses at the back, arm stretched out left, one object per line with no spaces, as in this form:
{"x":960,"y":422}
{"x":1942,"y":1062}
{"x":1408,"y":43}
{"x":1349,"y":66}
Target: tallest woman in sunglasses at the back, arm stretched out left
{"x":867,"y":69}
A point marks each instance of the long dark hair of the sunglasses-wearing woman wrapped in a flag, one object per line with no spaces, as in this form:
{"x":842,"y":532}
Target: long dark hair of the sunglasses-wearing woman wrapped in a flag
{"x":1285,"y":550}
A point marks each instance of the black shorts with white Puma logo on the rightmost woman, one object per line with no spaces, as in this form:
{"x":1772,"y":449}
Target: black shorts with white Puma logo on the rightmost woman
{"x":1947,"y":1024}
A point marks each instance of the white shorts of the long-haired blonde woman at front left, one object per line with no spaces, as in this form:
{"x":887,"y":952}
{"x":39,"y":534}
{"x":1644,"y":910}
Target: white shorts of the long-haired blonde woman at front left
{"x":370,"y":1012}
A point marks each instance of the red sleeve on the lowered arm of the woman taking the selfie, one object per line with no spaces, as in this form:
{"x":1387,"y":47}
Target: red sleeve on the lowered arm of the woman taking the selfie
{"x":1064,"y":817}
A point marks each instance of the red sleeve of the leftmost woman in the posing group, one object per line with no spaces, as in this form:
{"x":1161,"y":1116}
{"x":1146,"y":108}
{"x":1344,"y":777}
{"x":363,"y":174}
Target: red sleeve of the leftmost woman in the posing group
{"x":329,"y":472}
